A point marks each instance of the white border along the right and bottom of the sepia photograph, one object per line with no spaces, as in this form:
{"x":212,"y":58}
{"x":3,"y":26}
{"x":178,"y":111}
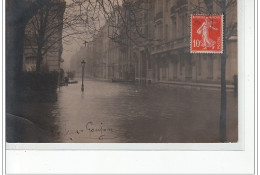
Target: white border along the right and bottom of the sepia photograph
{"x":79,"y":160}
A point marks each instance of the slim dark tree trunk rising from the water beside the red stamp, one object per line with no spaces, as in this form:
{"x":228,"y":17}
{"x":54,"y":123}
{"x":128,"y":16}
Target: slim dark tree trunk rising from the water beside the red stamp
{"x":223,"y":105}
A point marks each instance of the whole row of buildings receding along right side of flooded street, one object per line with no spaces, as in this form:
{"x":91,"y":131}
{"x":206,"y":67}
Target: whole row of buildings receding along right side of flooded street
{"x":164,"y":55}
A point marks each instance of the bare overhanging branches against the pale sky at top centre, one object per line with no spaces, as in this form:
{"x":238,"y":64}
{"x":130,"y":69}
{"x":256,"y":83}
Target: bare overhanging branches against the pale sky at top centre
{"x":122,"y":17}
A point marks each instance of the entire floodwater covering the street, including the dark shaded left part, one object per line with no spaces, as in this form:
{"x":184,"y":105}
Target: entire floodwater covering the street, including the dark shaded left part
{"x":124,"y":112}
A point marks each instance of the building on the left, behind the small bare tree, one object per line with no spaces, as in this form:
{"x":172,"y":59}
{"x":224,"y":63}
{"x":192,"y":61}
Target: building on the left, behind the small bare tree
{"x":52,"y":47}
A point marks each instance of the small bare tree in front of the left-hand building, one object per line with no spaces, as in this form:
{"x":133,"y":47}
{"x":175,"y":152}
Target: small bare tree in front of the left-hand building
{"x":44,"y":31}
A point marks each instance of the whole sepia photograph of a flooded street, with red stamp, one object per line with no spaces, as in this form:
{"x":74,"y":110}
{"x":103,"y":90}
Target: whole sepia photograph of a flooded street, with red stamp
{"x":121,"y":71}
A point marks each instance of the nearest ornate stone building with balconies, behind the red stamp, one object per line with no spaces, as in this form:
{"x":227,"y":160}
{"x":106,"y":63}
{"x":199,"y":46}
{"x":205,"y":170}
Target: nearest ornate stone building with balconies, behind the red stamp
{"x":168,"y":60}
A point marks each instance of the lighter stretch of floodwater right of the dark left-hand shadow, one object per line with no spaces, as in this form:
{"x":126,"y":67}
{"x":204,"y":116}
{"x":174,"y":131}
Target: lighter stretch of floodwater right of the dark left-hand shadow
{"x":144,"y":114}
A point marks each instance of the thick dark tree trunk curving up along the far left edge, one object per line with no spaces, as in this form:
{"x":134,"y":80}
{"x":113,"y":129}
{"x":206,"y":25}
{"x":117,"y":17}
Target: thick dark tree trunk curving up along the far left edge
{"x":18,"y":13}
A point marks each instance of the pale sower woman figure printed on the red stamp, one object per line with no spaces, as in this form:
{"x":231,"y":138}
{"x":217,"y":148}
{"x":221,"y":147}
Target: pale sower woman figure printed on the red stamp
{"x":204,"y":30}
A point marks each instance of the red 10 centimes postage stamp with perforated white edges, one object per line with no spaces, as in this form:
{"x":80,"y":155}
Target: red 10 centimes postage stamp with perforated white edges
{"x":206,"y":34}
